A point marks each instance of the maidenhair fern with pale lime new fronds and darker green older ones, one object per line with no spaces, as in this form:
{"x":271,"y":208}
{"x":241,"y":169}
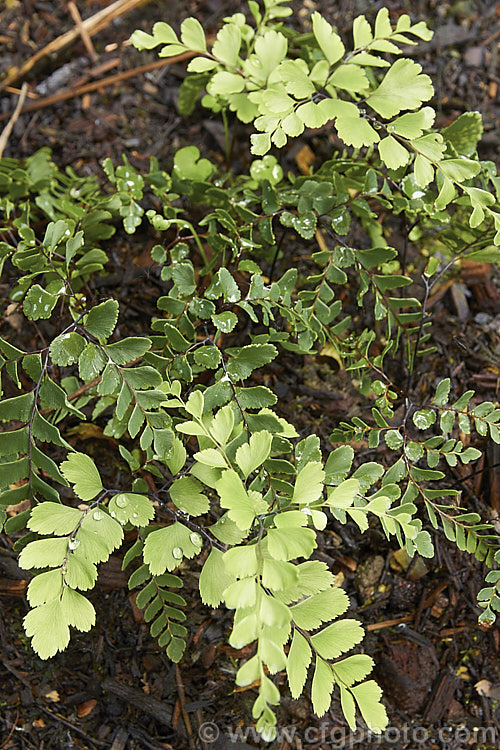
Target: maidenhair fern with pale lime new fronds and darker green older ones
{"x":212,"y":471}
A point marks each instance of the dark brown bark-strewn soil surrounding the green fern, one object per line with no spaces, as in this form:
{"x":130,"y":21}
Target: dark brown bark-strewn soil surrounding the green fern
{"x":114,"y":688}
